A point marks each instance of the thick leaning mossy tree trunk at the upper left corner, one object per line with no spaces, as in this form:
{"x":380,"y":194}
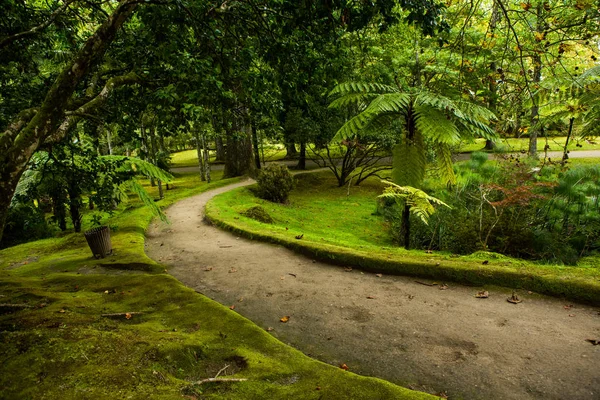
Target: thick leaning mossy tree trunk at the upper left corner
{"x":32,"y":127}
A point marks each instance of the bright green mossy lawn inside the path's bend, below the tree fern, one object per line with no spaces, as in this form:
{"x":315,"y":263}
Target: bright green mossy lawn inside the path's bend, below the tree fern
{"x":345,"y":232}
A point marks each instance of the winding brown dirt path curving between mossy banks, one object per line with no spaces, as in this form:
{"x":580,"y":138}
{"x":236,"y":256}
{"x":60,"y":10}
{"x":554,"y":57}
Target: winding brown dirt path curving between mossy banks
{"x":419,"y":336}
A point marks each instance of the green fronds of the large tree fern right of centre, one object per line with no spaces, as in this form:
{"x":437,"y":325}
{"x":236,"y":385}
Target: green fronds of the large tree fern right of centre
{"x":424,"y":115}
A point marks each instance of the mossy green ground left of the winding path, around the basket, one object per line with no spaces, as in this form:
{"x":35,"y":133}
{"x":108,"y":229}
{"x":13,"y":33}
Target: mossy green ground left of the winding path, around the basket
{"x":62,"y":348}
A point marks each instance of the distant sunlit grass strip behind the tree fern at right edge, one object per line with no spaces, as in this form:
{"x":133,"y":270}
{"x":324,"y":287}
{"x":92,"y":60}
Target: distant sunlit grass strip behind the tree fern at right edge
{"x":517,"y":145}
